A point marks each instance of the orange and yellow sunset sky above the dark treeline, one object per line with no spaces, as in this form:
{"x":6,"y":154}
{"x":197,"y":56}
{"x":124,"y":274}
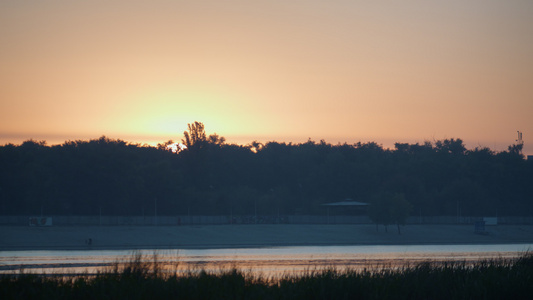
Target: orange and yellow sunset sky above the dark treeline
{"x":287,"y":71}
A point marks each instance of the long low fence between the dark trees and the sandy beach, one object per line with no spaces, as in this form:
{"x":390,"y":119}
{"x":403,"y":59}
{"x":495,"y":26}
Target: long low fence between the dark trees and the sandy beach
{"x":219,"y":220}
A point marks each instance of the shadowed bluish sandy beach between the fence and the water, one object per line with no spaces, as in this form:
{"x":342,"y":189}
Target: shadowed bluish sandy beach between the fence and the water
{"x":237,"y":236}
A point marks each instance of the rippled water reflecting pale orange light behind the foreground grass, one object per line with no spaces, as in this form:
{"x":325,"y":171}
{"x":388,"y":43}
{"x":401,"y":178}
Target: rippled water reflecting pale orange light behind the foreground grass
{"x":270,"y":261}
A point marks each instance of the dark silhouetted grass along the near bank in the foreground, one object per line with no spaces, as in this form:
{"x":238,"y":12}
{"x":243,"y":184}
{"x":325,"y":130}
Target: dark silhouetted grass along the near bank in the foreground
{"x":137,"y":279}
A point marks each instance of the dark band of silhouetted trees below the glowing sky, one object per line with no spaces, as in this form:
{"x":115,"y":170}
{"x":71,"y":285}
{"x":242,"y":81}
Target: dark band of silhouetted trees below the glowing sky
{"x":213,"y":177}
